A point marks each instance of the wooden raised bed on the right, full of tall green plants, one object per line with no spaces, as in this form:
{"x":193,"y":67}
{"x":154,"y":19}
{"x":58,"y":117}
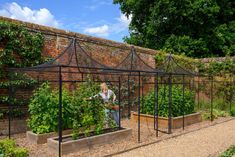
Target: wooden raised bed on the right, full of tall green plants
{"x":177,"y":122}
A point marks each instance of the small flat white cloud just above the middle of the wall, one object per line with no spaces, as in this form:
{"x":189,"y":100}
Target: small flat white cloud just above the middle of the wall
{"x":99,"y":31}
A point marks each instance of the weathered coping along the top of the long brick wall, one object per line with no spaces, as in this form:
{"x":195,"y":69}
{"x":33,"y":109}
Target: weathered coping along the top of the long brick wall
{"x":82,"y":37}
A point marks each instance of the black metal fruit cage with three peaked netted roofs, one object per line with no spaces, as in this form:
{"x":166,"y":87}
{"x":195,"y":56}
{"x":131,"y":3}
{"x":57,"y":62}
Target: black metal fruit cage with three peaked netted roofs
{"x":76,"y":62}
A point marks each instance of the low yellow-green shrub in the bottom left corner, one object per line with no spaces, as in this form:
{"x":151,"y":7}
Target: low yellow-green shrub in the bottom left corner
{"x":9,"y":149}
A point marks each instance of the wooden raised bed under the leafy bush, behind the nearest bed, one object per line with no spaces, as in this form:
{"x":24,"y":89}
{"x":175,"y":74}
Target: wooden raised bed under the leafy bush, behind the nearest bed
{"x":42,"y":138}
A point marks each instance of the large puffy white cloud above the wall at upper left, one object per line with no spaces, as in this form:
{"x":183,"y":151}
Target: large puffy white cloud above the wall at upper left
{"x":42,"y":16}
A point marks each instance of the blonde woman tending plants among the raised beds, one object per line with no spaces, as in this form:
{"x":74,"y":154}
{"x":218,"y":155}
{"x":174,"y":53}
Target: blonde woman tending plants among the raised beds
{"x":109,"y":97}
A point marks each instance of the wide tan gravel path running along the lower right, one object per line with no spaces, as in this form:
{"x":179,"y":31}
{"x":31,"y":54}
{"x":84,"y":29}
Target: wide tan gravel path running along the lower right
{"x":207,"y":142}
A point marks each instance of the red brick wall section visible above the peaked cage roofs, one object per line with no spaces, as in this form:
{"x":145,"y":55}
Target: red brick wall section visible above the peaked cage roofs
{"x":105,"y":51}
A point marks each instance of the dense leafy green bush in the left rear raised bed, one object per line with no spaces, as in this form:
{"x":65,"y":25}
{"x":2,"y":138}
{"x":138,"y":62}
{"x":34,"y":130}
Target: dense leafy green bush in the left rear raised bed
{"x":43,"y":108}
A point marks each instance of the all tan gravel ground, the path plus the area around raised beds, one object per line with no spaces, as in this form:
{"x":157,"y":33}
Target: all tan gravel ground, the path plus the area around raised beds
{"x":224,"y":133}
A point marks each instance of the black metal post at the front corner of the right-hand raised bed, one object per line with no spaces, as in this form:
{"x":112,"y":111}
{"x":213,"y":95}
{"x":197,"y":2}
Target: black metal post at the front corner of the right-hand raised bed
{"x":170,"y":105}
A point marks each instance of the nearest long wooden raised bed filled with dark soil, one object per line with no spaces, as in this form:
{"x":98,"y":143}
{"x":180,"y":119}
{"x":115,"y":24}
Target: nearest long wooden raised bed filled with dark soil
{"x":69,"y":145}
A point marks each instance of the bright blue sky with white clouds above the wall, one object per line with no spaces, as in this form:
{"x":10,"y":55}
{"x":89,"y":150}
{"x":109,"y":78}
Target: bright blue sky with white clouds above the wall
{"x":100,"y":18}
